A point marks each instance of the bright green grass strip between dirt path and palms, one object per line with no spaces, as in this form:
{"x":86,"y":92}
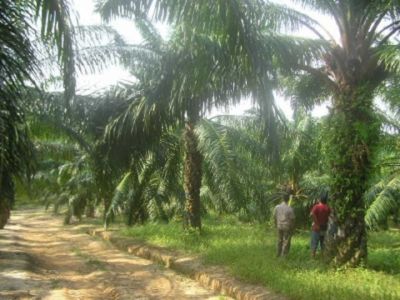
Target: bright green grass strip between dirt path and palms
{"x":248,"y":251}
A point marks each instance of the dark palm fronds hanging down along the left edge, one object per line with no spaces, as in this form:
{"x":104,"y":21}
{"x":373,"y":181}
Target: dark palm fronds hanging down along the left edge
{"x":19,"y":66}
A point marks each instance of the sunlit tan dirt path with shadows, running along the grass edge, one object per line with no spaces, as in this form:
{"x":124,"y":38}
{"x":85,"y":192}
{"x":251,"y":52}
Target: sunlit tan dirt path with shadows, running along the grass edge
{"x":42,"y":259}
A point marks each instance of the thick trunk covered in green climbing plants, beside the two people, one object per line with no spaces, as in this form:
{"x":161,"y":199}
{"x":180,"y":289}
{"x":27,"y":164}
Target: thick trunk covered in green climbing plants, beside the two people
{"x":353,"y":134}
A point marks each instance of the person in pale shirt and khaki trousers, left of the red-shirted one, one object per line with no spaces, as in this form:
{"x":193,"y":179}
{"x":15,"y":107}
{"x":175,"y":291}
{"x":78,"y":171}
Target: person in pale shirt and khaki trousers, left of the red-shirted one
{"x":284,"y":221}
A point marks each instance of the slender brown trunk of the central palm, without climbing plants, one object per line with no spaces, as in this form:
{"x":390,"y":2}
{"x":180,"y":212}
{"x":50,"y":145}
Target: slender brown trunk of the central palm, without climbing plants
{"x":192,"y":172}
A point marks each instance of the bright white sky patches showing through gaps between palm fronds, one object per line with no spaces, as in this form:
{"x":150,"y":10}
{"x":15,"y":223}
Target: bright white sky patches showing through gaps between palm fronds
{"x":85,"y":14}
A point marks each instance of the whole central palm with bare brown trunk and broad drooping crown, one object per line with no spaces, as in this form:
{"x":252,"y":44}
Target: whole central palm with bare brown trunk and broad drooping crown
{"x":217,"y":54}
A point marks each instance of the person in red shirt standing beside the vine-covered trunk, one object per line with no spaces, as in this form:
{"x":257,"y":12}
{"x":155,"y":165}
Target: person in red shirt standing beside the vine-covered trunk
{"x":320,"y":216}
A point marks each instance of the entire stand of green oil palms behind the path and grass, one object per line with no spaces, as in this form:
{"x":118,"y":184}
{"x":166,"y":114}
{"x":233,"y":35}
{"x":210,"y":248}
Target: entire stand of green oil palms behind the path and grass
{"x":146,"y":150}
